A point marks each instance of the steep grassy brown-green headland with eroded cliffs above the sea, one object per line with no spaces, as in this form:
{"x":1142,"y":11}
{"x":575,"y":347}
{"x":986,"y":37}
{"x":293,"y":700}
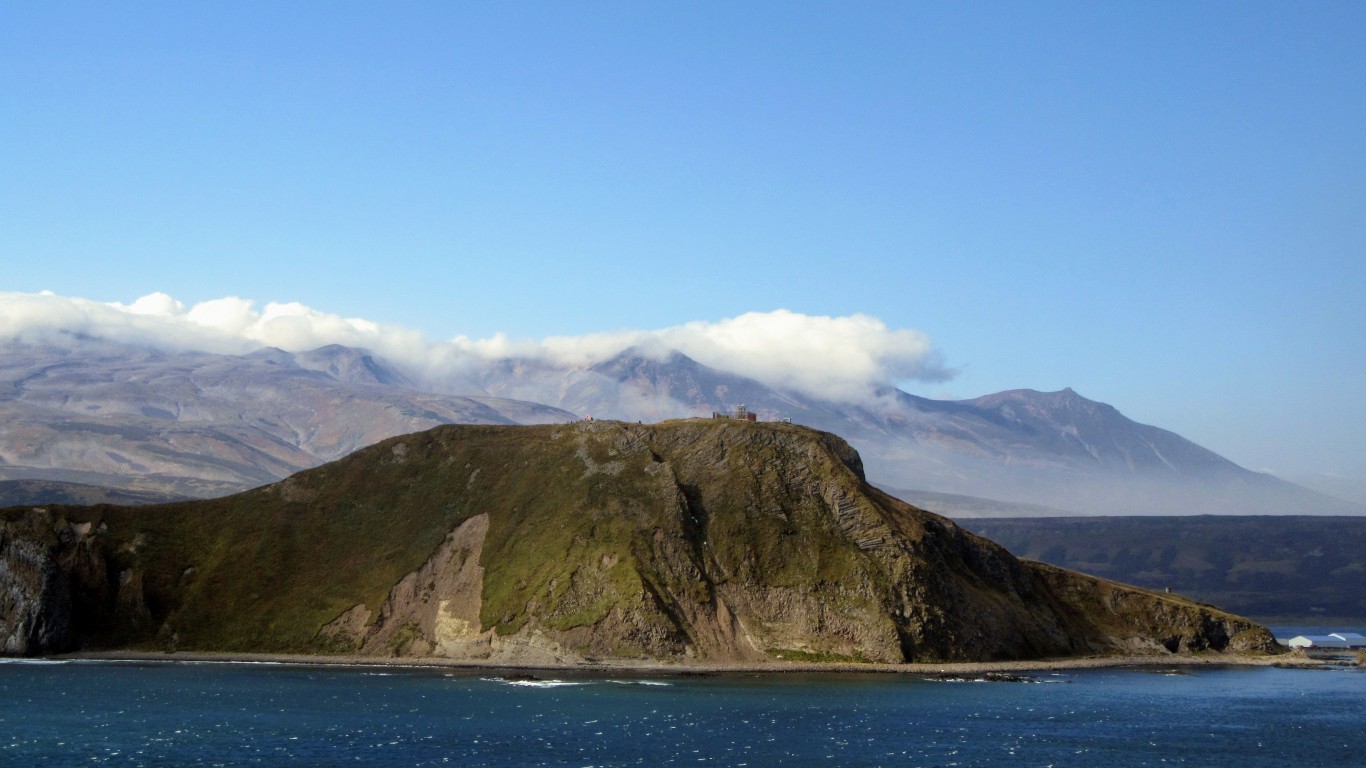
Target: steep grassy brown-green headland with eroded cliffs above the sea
{"x":686,"y":540}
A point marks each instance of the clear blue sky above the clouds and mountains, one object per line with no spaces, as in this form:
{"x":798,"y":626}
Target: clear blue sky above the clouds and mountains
{"x":1162,"y":206}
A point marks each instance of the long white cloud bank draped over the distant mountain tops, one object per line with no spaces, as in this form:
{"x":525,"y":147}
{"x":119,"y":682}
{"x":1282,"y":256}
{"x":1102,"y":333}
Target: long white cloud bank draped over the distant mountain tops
{"x":842,"y":359}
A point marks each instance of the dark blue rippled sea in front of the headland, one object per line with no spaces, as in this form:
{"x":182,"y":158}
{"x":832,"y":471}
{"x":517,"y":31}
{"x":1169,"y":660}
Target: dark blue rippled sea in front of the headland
{"x":241,"y":714}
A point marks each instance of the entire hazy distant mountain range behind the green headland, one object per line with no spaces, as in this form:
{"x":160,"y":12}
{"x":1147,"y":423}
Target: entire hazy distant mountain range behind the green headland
{"x":199,"y":424}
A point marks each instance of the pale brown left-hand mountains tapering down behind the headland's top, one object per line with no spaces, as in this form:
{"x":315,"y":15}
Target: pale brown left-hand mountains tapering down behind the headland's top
{"x":197,"y":424}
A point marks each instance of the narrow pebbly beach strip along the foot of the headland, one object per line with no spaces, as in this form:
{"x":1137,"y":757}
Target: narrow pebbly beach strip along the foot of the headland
{"x":654,"y":668}
